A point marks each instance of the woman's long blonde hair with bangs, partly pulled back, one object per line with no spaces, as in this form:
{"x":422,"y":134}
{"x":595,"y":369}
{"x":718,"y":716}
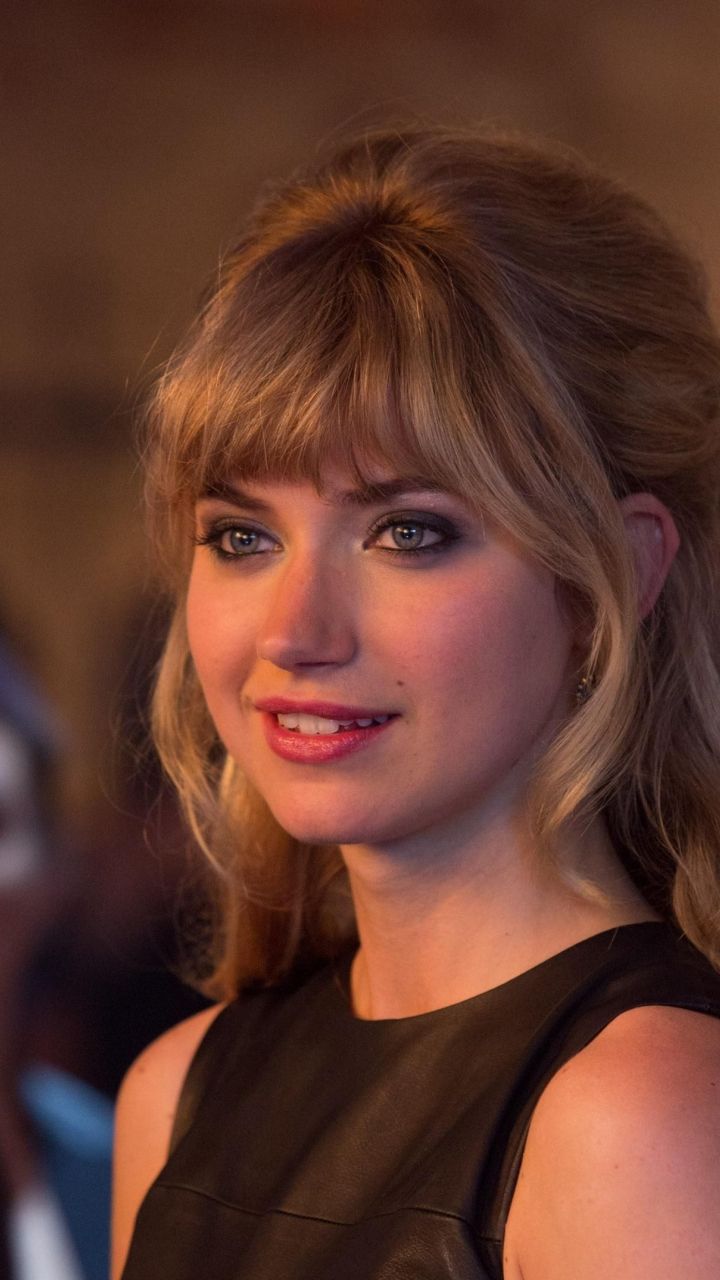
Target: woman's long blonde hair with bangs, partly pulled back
{"x":494,"y":316}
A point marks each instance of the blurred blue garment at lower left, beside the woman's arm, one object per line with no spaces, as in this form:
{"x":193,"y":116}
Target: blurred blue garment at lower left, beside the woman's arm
{"x":74,"y":1128}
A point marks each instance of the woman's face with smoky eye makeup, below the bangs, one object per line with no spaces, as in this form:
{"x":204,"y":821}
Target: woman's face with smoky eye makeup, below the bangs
{"x":393,"y":604}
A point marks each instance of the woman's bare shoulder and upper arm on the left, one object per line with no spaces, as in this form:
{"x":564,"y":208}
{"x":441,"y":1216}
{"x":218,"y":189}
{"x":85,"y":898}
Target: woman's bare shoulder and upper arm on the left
{"x":144,"y":1122}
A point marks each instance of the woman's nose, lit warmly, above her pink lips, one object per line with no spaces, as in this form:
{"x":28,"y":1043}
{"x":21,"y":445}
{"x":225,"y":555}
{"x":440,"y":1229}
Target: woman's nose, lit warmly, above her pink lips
{"x":309,"y":619}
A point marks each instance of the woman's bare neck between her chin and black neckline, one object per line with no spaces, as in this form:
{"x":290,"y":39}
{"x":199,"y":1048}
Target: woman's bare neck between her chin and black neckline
{"x":436,"y":930}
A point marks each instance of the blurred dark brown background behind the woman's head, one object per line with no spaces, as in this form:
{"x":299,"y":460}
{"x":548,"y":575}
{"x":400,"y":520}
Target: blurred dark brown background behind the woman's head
{"x":136,"y":135}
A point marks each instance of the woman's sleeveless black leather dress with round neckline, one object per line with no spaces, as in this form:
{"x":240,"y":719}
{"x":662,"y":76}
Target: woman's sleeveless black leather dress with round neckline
{"x":311,"y":1145}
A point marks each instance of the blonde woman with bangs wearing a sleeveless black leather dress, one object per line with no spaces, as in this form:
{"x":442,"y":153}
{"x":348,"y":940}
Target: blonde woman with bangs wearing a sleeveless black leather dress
{"x":438,"y":487}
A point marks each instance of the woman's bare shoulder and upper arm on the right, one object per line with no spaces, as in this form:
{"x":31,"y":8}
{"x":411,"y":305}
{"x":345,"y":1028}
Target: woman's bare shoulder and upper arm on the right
{"x":622,"y":1168}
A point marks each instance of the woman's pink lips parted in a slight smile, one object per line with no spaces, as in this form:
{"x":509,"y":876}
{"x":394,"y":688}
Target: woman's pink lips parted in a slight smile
{"x":317,"y":748}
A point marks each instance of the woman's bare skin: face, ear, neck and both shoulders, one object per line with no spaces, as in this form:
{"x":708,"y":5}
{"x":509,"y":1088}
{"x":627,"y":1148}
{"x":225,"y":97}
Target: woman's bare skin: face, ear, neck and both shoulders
{"x":471,"y":648}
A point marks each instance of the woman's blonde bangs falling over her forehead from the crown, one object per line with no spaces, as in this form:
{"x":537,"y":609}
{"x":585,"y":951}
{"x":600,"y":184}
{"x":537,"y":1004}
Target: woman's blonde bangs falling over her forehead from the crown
{"x":364,"y":354}
